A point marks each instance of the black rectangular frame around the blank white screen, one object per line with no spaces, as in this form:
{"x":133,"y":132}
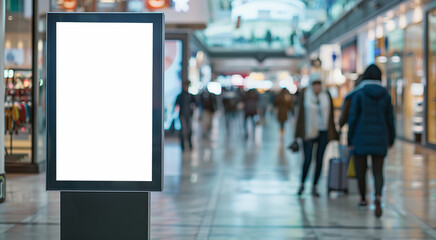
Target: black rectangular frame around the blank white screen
{"x":157,"y":19}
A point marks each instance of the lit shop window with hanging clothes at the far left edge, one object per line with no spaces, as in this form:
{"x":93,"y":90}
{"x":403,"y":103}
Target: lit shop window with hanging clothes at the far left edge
{"x":18,"y":81}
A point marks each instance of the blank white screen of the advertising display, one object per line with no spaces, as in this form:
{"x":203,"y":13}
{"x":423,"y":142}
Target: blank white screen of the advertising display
{"x":104,"y":101}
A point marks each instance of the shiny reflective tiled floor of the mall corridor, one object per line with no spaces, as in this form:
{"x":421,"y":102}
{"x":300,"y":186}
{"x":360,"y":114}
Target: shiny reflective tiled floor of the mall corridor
{"x":230,"y":188}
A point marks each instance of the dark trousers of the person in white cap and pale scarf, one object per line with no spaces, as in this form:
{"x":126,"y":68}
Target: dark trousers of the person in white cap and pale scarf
{"x":322,"y":141}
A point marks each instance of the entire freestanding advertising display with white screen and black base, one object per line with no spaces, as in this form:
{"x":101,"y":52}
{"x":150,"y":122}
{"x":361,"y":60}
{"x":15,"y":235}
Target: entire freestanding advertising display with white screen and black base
{"x":104,"y":169}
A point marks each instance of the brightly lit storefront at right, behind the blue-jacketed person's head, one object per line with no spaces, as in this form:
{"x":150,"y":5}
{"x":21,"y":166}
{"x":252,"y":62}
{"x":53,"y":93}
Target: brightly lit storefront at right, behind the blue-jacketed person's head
{"x":395,"y":42}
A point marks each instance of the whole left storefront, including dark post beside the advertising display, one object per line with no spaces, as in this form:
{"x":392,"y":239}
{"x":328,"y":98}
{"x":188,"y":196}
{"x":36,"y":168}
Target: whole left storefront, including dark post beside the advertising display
{"x":24,"y":77}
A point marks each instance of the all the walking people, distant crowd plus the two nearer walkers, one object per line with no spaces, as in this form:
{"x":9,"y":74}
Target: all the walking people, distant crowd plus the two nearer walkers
{"x":367,"y":110}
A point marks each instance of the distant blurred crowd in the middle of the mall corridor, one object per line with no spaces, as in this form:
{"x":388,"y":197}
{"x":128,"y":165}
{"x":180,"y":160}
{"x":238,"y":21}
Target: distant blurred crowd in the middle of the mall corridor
{"x":241,"y":109}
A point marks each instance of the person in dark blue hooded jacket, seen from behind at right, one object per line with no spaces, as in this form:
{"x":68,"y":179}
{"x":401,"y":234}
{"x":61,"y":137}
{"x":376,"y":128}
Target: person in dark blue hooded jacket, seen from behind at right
{"x":371,"y":131}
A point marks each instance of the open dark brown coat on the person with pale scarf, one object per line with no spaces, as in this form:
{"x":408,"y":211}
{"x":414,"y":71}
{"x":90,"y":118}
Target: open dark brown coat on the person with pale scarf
{"x":300,"y":126}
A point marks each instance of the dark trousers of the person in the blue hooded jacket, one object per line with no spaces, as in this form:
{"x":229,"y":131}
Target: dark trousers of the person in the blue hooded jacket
{"x":377,"y":171}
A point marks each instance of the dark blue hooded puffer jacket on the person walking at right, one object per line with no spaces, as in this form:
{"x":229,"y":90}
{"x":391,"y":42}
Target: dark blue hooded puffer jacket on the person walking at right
{"x":371,"y":120}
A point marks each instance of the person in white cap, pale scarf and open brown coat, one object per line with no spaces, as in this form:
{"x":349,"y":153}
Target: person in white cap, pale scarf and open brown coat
{"x":315,"y":124}
